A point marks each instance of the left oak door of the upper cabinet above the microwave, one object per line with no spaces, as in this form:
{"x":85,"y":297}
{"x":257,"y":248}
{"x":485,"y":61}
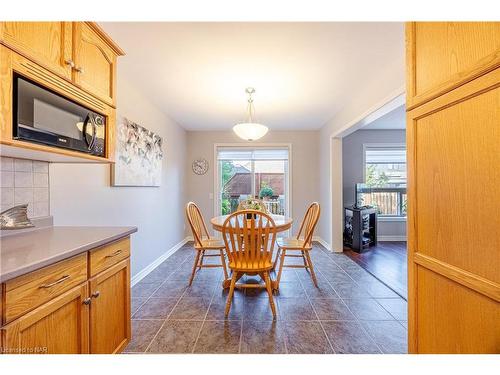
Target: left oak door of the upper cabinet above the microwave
{"x":47,"y":43}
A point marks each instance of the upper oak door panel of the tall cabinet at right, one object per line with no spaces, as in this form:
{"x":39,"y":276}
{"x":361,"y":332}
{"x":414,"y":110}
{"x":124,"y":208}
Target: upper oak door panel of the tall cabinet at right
{"x":447,"y":54}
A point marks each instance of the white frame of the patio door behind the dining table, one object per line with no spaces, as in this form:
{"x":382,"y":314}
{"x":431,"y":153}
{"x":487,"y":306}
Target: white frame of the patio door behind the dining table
{"x":288,"y":182}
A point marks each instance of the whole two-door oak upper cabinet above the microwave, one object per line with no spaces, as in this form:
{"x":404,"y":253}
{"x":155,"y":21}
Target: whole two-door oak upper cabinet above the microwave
{"x":80,"y":52}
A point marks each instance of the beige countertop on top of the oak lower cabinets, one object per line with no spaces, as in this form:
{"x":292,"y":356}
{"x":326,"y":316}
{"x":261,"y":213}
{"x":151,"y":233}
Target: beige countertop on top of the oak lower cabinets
{"x":21,"y":253}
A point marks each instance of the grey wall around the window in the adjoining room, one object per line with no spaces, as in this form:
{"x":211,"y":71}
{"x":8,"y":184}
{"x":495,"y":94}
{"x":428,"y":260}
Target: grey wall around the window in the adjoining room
{"x":352,"y":171}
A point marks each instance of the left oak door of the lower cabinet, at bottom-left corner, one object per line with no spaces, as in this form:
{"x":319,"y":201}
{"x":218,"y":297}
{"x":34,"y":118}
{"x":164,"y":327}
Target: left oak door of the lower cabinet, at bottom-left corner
{"x":58,"y":327}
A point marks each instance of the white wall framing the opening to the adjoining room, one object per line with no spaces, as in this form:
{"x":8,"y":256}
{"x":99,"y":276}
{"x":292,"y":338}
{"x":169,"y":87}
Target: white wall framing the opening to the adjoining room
{"x":385,"y":86}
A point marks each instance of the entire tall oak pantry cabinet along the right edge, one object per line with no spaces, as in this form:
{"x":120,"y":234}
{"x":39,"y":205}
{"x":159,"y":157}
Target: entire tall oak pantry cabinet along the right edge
{"x":453,"y":137}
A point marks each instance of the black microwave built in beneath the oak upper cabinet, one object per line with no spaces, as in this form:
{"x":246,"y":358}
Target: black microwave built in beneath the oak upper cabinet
{"x":42,"y":116}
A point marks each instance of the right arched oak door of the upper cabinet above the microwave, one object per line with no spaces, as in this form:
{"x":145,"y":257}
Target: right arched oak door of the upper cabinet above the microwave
{"x":95,"y":63}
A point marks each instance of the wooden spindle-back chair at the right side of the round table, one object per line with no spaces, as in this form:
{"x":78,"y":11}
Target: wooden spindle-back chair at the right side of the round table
{"x":302,"y":242}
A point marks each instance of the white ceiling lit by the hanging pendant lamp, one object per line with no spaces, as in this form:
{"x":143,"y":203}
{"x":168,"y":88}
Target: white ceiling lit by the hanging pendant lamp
{"x":303,"y":73}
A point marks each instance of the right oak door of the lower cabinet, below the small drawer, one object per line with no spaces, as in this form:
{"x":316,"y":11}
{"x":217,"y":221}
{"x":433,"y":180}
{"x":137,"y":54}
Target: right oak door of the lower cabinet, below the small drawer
{"x":110,"y":309}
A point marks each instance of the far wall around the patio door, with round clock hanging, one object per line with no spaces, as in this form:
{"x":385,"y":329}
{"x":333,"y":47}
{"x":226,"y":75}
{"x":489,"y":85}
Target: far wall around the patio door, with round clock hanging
{"x":304,"y":183}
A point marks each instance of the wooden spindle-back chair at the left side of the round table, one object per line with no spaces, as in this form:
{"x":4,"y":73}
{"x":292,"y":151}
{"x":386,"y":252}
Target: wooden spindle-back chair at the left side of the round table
{"x":203,"y":242}
